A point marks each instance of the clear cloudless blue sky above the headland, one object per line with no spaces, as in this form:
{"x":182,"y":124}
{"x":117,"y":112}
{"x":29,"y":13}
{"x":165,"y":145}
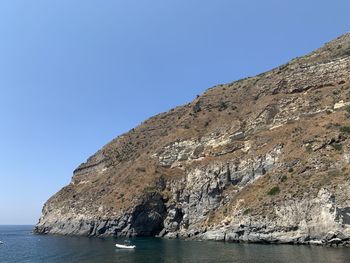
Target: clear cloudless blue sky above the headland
{"x":75,"y":74}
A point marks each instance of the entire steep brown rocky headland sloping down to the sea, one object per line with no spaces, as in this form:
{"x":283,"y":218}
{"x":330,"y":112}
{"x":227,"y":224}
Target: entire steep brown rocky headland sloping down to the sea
{"x":263,"y":159}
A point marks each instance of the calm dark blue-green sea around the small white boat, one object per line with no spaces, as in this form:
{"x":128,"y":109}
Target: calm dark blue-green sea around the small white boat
{"x":22,"y":246}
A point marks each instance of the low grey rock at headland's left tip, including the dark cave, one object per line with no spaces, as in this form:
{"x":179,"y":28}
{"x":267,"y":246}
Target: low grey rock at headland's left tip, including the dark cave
{"x":146,"y":219}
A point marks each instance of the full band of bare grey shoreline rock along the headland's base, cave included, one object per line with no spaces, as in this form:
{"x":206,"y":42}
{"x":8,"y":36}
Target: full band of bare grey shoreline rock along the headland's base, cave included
{"x":328,"y":227}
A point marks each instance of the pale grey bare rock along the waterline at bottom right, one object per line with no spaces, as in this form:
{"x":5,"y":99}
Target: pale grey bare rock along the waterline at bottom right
{"x":317,"y":221}
